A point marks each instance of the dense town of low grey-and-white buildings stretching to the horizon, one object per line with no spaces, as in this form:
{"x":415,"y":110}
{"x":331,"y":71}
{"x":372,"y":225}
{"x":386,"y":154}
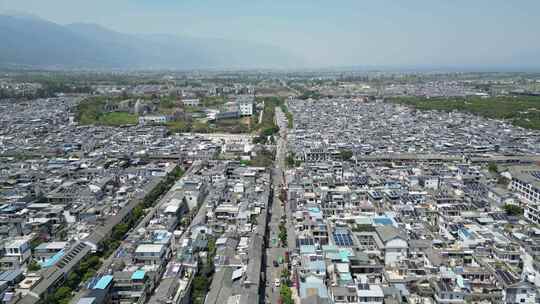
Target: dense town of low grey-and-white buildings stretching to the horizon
{"x":269,"y":187}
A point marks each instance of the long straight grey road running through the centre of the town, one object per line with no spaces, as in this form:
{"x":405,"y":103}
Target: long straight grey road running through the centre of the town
{"x":274,"y":250}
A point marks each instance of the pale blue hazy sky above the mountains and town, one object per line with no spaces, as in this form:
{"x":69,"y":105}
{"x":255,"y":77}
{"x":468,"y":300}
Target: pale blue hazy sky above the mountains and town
{"x":330,"y":33}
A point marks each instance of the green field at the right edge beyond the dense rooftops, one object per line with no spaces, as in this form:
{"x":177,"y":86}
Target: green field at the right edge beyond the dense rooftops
{"x":523,"y":111}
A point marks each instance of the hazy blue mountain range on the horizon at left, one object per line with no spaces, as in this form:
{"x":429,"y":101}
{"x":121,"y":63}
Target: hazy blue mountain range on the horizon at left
{"x":33,"y":42}
